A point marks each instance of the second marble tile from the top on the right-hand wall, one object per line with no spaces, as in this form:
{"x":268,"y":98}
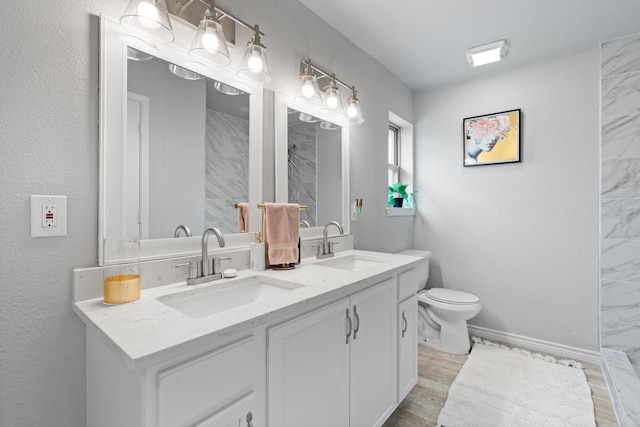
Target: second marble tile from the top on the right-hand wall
{"x":620,"y":95}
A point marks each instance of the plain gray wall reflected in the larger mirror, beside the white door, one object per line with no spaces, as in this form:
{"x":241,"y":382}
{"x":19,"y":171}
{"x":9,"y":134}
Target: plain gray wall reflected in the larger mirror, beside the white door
{"x":176,"y":146}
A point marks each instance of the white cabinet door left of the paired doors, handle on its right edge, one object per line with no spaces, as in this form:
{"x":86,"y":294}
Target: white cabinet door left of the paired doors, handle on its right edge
{"x":308,"y":370}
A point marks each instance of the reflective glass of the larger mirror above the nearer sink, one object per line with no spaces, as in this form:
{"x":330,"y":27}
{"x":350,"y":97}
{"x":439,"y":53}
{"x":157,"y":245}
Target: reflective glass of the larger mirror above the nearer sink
{"x":187,"y":159}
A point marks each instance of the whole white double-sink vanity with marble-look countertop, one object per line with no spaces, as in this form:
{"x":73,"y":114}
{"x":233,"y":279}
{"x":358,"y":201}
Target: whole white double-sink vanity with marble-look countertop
{"x":331,"y":342}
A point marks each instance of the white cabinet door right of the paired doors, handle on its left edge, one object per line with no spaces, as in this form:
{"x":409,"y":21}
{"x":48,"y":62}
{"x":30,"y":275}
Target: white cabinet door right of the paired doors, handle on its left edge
{"x":373,"y":355}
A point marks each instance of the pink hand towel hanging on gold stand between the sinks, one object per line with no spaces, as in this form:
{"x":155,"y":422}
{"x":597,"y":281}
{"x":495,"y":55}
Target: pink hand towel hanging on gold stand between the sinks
{"x":280,"y":231}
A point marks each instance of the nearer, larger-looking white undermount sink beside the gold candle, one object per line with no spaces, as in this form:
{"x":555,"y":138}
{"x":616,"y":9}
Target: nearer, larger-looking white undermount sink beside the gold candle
{"x":217,"y":298}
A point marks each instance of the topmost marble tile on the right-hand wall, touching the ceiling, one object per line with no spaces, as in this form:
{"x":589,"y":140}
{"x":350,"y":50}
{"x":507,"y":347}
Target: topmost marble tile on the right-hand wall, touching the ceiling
{"x":620,"y":56}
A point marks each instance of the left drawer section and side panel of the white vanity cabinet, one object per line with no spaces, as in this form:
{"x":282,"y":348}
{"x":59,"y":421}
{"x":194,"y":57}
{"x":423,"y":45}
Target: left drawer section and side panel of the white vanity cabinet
{"x":214,"y":388}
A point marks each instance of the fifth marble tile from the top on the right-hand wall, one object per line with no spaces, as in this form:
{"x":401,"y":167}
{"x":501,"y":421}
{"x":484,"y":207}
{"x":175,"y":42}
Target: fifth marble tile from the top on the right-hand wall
{"x":620,"y":219}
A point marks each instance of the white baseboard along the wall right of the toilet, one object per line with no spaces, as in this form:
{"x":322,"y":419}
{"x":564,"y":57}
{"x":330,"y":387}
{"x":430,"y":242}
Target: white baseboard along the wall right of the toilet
{"x":536,"y":345}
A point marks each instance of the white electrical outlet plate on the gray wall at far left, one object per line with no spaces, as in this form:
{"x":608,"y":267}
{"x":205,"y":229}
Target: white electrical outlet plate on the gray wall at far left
{"x":48,"y":216}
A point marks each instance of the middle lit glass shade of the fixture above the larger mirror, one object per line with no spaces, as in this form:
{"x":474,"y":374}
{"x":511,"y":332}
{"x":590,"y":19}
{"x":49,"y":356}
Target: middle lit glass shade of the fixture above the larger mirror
{"x":210,"y":45}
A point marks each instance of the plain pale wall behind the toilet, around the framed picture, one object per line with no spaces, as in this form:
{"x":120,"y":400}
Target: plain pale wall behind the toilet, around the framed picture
{"x":523,"y":236}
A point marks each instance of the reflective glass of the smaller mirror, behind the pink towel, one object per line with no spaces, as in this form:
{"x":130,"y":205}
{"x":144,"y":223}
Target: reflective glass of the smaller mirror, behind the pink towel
{"x":314,"y":167}
